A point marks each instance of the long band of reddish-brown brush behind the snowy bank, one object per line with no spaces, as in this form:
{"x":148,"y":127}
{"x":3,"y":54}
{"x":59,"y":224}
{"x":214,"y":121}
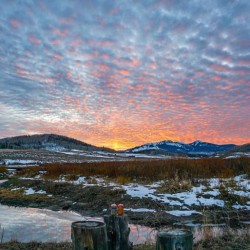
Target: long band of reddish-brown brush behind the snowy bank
{"x":148,"y":170}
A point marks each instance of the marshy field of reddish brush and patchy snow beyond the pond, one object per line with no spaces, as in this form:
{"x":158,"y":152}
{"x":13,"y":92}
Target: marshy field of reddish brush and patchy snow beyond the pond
{"x":155,"y":192}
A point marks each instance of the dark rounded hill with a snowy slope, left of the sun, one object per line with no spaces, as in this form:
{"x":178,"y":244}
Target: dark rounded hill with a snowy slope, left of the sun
{"x":51,"y":142}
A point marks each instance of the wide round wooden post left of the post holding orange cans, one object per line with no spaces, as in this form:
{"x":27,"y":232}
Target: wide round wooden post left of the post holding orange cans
{"x":89,"y":235}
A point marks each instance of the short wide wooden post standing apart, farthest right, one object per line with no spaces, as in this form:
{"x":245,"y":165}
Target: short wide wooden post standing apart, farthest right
{"x":177,"y":239}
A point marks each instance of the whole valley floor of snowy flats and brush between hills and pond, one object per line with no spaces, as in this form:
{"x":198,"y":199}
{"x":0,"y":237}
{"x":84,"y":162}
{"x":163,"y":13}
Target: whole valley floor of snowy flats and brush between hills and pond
{"x":157,"y":190}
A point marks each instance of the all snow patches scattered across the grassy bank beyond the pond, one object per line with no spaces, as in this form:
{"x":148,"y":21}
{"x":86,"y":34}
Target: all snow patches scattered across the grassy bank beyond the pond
{"x":206,"y":194}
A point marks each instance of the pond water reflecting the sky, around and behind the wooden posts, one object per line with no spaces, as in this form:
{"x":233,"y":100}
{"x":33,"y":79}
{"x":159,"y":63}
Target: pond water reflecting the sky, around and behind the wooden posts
{"x":33,"y":224}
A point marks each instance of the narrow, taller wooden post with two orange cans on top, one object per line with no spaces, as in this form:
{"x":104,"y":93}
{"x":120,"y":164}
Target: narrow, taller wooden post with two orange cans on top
{"x":118,"y":232}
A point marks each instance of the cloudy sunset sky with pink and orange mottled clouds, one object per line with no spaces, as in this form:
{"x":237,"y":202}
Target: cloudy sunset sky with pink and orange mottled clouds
{"x":122,"y":73}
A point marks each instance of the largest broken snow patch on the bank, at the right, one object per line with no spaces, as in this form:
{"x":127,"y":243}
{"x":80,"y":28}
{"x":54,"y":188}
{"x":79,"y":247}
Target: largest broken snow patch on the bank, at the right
{"x":201,"y":195}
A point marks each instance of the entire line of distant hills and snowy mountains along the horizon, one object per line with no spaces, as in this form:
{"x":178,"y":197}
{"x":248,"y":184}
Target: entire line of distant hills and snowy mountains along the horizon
{"x":54,"y":142}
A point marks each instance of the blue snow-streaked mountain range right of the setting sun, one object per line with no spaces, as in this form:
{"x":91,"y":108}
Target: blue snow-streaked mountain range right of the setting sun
{"x":197,"y":148}
